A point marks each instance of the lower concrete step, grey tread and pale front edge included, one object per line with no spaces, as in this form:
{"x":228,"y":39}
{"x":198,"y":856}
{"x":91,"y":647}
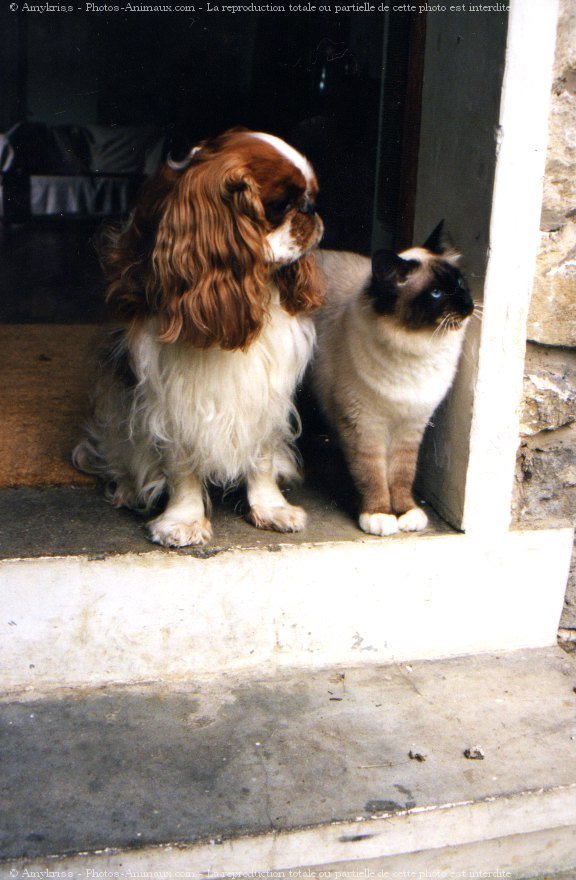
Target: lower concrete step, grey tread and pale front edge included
{"x":340,"y":772}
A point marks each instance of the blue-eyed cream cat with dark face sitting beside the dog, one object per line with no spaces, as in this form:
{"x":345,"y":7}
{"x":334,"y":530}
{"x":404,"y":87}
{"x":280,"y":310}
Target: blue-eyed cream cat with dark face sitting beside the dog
{"x":389,"y":339}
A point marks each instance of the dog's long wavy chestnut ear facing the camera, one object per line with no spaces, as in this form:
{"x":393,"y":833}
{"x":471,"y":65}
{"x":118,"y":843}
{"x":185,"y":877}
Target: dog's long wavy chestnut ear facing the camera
{"x":208,"y":260}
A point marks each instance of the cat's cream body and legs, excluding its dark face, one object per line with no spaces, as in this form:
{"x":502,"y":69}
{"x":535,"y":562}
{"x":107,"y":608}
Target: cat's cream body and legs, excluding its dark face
{"x":378,"y":384}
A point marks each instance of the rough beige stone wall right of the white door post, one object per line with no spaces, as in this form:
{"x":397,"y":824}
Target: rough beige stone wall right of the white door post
{"x":546,"y":467}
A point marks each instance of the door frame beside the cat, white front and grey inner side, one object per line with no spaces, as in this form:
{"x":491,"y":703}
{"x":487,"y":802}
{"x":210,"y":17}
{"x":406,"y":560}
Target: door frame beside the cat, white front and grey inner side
{"x":486,"y":96}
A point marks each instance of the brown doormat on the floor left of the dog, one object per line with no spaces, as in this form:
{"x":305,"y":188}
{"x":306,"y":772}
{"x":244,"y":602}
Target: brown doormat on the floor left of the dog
{"x":46,"y":373}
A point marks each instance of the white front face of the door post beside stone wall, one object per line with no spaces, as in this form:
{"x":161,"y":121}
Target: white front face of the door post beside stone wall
{"x":514,"y":236}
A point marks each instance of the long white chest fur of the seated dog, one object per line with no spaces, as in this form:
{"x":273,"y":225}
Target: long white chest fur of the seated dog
{"x":216,"y":409}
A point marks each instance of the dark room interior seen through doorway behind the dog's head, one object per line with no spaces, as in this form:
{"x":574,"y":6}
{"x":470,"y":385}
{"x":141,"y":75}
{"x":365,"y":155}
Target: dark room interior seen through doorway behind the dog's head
{"x":342,"y":88}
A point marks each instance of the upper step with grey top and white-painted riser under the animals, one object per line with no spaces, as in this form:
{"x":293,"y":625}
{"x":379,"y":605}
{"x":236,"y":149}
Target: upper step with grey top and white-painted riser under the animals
{"x":87,"y":601}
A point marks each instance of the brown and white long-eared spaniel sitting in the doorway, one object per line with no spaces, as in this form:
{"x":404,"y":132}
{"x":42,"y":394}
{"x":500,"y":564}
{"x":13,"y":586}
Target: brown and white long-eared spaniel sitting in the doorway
{"x":214,"y":280}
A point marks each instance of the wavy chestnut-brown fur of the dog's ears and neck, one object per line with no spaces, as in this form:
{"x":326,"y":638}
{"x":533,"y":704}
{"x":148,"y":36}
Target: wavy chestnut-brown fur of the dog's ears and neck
{"x":194,"y":254}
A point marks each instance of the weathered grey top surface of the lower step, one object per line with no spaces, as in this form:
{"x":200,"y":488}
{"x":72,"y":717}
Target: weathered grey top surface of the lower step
{"x":130,"y":767}
